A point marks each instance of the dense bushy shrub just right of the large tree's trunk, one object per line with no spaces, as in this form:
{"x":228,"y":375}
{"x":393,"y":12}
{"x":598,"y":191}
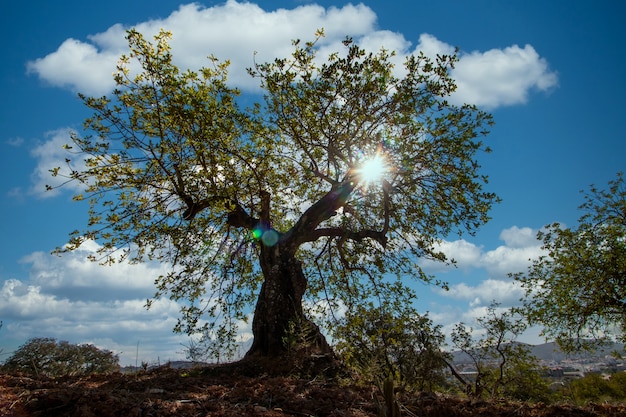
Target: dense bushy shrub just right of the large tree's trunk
{"x":392,"y":340}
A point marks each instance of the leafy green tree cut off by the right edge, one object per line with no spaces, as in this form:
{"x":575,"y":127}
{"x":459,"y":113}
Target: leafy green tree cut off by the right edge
{"x":578,"y":290}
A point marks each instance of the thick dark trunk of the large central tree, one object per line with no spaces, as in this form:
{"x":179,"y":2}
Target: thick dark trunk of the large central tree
{"x":279,"y":324}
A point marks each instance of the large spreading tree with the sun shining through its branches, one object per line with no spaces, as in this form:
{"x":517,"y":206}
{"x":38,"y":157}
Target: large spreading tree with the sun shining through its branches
{"x":321,"y":195}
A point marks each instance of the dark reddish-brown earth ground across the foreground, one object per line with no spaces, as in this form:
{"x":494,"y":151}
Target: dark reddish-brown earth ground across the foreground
{"x":243,"y":389}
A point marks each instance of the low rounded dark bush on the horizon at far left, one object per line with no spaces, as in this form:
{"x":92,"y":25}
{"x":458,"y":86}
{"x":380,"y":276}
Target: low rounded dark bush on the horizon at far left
{"x":47,"y":357}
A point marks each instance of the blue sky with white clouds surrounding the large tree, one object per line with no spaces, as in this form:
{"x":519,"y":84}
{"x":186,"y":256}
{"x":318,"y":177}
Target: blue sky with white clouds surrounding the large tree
{"x":552,"y":73}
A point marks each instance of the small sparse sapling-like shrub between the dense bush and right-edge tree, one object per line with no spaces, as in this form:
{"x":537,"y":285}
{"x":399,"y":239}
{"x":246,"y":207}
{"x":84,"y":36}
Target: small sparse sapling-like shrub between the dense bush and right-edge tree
{"x":504,"y":368}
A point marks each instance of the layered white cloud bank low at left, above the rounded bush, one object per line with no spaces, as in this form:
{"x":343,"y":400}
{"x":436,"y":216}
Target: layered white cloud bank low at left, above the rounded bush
{"x":71,"y":298}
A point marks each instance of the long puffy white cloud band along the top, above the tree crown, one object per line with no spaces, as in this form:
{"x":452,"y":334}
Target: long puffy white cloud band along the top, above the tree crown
{"x":244,"y":32}
